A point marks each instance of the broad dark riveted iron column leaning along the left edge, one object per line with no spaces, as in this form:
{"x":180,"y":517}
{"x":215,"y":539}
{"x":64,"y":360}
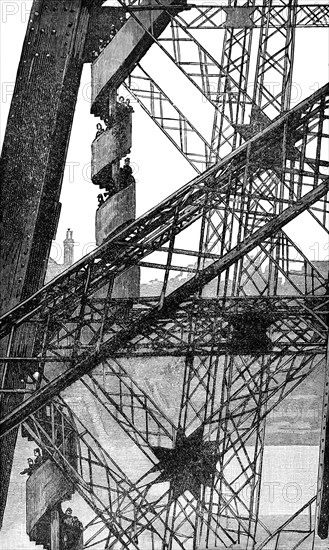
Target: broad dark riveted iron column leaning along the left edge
{"x":32,"y":166}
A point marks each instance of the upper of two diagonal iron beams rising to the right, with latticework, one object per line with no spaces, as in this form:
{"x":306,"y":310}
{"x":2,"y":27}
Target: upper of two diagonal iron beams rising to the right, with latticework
{"x":143,"y":235}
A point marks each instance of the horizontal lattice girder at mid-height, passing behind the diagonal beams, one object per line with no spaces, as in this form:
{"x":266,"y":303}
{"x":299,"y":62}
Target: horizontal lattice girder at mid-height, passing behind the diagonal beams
{"x":298,"y":324}
